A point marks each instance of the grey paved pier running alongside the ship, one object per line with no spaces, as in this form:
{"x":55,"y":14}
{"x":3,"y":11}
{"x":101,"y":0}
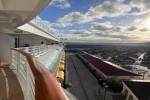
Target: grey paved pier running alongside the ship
{"x":84,"y":84}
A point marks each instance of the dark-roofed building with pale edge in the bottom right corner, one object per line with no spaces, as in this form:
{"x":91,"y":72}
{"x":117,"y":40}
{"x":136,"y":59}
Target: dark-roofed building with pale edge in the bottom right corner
{"x":136,"y":90}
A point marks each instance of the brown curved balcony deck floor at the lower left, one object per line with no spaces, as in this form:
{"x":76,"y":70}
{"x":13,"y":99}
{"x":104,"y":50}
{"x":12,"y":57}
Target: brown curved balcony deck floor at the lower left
{"x":10,"y":88}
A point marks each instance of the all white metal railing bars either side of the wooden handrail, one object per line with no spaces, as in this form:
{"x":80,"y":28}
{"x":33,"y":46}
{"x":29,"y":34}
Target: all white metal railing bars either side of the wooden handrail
{"x":21,"y":68}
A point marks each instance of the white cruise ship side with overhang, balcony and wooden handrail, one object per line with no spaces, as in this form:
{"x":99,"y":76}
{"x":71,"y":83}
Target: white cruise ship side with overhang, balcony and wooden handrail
{"x":32,"y":58}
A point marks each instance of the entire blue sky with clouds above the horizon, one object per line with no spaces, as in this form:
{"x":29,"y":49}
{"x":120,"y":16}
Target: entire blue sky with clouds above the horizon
{"x":99,"y":21}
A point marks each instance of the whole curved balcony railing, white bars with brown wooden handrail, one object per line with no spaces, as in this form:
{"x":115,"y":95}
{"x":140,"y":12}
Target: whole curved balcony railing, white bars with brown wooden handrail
{"x":37,"y":82}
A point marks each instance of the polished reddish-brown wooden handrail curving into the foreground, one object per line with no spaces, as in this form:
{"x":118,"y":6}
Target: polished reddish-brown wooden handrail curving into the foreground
{"x":46,"y":86}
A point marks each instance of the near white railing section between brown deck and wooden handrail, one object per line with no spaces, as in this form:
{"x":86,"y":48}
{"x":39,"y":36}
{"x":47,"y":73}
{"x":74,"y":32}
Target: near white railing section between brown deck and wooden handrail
{"x":21,"y":68}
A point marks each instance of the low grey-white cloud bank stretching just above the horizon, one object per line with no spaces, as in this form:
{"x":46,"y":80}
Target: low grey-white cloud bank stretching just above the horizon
{"x":107,"y":32}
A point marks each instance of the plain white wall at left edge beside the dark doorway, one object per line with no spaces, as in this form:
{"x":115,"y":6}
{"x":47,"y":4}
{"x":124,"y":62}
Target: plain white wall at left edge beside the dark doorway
{"x":6,"y":42}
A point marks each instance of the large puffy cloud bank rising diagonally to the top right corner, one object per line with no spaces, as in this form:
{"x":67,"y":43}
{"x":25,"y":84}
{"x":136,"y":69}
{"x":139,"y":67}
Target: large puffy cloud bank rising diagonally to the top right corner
{"x":109,"y":9}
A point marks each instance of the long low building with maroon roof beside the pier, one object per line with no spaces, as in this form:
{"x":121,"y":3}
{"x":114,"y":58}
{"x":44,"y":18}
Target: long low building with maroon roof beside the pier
{"x":107,"y":70}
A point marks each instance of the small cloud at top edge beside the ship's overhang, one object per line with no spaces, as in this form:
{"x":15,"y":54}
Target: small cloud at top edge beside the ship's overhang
{"x":62,"y":4}
